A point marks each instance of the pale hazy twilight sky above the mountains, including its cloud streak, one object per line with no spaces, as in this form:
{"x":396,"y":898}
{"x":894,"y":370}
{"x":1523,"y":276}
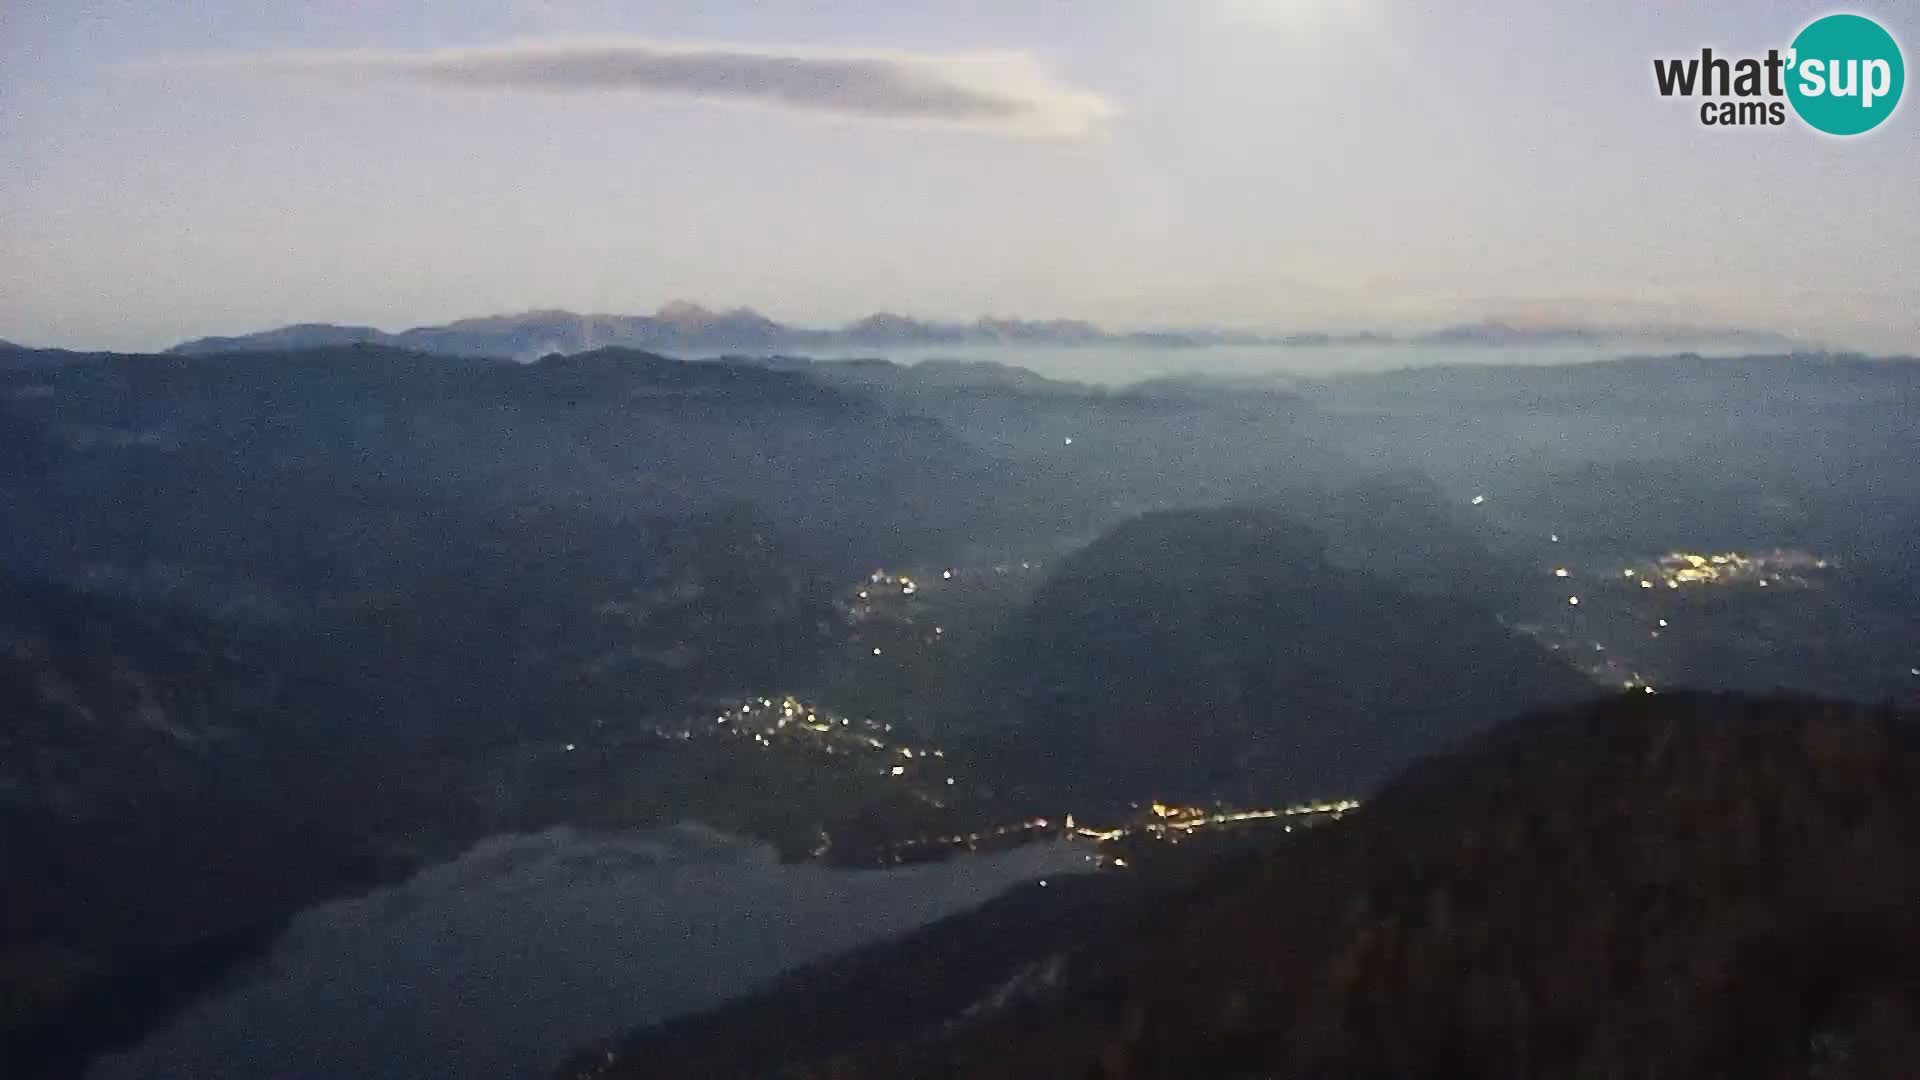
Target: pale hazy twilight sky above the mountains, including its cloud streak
{"x":174,"y":170}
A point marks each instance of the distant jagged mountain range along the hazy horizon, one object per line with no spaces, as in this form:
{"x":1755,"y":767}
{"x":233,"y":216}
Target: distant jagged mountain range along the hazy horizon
{"x":683,"y":328}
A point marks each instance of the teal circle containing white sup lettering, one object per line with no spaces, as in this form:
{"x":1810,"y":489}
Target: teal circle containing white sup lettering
{"x":1846,"y":74}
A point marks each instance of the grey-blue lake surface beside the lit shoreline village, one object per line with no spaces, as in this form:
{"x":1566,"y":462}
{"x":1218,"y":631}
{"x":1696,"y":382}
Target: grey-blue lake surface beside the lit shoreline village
{"x":529,"y":948}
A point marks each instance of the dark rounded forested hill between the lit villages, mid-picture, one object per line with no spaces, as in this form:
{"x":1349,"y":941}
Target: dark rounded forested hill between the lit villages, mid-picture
{"x":1220,"y":654}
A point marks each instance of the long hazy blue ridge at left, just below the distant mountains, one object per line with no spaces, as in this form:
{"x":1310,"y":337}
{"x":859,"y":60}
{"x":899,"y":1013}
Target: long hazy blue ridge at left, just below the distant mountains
{"x":158,"y":458}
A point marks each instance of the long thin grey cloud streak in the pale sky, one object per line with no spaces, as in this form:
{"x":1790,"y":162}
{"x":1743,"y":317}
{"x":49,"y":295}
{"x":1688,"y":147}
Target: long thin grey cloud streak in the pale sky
{"x":1005,"y":93}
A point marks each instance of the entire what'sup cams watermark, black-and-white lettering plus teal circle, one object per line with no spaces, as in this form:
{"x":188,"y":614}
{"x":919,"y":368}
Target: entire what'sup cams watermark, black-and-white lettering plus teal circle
{"x":1842,"y":76}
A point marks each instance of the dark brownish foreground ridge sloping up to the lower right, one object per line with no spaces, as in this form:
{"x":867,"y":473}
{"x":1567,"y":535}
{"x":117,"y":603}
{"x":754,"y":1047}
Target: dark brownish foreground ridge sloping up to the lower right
{"x":1652,"y":887}
